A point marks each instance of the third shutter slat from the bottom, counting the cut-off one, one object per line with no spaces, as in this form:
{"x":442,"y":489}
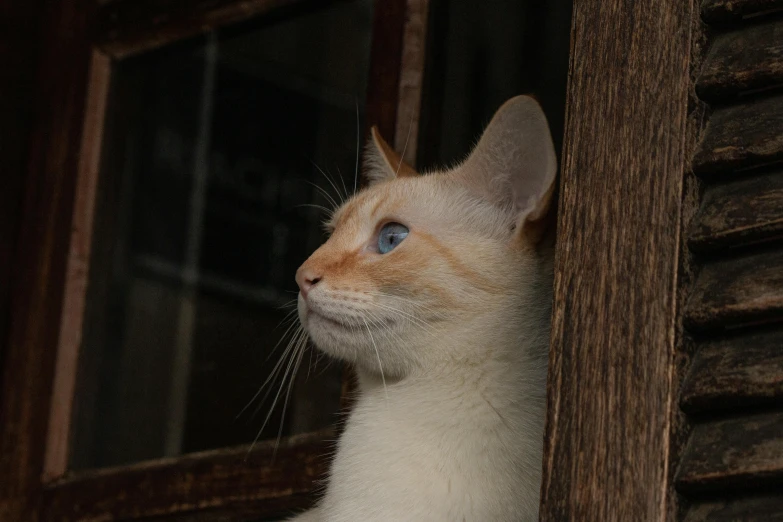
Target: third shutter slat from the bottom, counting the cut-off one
{"x":736,"y":372}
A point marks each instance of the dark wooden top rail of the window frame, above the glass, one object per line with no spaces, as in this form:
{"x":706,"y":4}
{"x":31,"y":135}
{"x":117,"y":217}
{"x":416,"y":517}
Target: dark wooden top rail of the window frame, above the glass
{"x":129,"y":27}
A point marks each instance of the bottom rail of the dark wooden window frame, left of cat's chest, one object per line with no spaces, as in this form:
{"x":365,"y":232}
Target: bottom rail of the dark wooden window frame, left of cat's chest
{"x":226,"y":482}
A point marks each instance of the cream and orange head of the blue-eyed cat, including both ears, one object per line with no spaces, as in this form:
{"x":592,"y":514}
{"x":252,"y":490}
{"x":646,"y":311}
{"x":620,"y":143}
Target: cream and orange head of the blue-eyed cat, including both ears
{"x":416,"y":263}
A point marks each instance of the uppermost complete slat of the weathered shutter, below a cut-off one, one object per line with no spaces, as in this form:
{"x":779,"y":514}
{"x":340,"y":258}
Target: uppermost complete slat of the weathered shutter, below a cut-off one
{"x":743,"y":60}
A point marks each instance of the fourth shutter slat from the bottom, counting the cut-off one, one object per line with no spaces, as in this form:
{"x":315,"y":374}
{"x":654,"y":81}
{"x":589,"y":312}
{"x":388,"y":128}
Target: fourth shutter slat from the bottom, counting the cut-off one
{"x":737,"y":291}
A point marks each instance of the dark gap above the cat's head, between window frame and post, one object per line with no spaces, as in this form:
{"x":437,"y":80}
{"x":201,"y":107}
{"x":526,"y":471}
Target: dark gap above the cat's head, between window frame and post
{"x":480,"y":54}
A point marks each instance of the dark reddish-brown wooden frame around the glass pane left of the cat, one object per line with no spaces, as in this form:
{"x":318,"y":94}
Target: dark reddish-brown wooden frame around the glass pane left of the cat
{"x":54,"y":248}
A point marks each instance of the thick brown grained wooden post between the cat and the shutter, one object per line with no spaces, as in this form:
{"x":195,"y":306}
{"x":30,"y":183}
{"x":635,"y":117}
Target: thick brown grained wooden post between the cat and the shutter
{"x":610,"y":392}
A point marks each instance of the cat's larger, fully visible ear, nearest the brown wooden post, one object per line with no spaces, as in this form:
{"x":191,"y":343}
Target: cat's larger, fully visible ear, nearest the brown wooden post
{"x":514,"y":163}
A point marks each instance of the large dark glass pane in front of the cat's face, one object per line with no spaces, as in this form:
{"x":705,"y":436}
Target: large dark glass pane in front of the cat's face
{"x":207,"y":206}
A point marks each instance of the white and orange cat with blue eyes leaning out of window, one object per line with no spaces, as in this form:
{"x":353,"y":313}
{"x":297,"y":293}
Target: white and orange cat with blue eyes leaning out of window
{"x":437,"y":288}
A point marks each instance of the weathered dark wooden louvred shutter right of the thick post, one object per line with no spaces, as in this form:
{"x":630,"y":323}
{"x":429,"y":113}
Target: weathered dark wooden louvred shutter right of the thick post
{"x":731,"y":467}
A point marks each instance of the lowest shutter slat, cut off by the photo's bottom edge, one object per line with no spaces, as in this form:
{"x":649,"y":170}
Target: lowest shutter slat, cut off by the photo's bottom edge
{"x":749,"y":509}
